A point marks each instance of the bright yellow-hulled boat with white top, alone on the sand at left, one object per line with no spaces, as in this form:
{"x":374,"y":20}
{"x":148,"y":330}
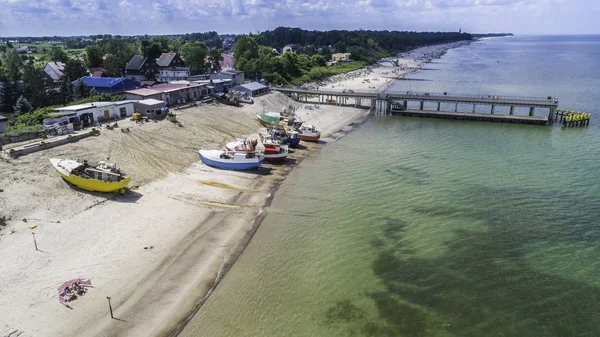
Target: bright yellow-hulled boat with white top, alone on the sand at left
{"x":104,"y":177}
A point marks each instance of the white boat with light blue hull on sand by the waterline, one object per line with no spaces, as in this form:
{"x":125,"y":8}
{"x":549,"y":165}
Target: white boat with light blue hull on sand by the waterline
{"x":231,"y":160}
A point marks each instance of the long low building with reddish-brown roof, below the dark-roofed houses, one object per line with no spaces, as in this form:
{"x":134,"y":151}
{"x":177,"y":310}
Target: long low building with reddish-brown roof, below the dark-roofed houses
{"x":172,"y":93}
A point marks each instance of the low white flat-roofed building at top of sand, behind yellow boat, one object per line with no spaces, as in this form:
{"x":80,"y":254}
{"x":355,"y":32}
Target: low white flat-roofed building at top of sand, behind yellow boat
{"x":90,"y":113}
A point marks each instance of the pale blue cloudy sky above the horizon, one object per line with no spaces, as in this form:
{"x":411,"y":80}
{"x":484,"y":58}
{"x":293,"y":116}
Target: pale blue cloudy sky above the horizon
{"x":154,"y":17}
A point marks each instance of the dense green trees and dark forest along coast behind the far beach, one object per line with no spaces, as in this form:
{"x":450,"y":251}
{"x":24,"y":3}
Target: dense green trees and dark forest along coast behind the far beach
{"x":259,"y":55}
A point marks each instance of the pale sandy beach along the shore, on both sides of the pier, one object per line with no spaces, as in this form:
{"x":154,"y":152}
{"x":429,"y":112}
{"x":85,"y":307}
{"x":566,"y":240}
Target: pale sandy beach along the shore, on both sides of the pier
{"x":157,"y":250}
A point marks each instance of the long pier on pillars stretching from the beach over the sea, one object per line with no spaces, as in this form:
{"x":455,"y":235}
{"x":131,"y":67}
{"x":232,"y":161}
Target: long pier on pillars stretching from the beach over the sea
{"x":382,"y":103}
